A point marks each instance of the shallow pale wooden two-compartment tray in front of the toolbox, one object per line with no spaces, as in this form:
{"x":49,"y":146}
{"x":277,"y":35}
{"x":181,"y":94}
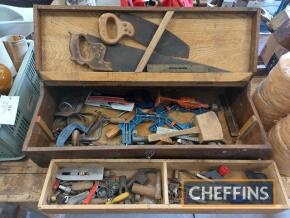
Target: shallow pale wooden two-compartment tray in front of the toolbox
{"x":129,"y":166}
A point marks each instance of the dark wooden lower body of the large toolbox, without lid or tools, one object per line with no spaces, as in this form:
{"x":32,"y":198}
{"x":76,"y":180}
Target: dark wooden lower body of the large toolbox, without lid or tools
{"x":41,"y":149}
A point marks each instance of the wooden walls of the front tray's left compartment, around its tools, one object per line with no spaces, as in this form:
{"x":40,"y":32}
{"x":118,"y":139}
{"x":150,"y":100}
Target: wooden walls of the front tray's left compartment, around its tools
{"x":126,"y":166}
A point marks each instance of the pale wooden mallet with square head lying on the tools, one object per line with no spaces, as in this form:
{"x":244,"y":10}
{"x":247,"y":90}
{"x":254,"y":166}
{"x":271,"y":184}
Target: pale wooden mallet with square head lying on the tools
{"x":207,"y":127}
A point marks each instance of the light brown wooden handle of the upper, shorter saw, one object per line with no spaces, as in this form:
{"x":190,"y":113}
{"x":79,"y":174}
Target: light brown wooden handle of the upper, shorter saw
{"x":109,"y":21}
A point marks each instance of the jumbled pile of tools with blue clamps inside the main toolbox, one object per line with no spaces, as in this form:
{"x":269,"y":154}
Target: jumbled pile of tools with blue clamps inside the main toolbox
{"x":76,"y":126}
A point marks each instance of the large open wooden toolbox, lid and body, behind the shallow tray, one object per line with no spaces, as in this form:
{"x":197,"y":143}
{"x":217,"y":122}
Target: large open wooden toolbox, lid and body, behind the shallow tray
{"x":223,"y":38}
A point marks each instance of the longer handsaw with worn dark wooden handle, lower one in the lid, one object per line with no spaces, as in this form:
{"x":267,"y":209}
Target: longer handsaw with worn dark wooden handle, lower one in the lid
{"x":125,"y":58}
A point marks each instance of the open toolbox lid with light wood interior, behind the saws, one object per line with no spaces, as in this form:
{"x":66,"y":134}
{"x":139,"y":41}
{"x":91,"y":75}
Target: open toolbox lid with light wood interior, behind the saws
{"x":222,"y":38}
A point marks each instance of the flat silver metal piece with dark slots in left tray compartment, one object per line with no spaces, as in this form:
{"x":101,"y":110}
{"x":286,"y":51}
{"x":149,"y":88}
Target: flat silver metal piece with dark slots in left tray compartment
{"x":80,"y":173}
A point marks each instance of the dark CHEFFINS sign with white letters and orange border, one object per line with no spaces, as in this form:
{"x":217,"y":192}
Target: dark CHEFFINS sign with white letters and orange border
{"x":230,"y":191}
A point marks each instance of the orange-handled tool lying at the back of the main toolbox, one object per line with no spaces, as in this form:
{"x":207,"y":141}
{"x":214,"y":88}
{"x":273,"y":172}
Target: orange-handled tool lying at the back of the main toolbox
{"x":186,"y":102}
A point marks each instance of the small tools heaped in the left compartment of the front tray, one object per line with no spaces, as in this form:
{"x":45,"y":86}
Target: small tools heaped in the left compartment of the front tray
{"x":97,"y":185}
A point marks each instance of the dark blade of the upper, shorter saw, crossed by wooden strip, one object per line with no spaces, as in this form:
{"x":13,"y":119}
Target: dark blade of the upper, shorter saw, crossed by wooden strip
{"x":169,"y":44}
